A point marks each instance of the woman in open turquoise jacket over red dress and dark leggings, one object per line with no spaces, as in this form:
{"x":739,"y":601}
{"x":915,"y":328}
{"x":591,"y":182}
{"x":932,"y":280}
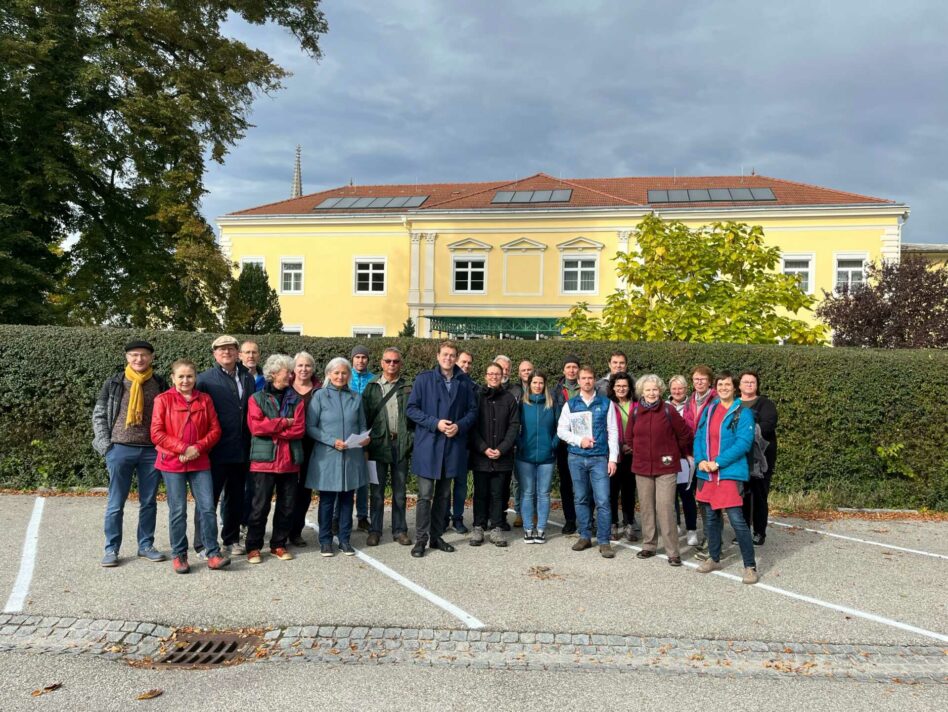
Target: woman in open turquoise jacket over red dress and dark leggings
{"x":723,"y":441}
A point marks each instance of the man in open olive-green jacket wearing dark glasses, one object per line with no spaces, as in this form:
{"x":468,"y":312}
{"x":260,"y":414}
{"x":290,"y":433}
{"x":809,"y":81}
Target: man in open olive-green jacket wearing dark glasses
{"x":384,"y":400}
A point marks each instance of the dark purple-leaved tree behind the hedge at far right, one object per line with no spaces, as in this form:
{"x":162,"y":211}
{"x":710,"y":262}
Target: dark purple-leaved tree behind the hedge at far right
{"x":902,"y":305}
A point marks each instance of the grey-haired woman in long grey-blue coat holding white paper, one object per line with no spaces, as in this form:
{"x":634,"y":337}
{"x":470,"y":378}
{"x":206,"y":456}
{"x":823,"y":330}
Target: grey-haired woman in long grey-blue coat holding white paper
{"x":335,"y":470}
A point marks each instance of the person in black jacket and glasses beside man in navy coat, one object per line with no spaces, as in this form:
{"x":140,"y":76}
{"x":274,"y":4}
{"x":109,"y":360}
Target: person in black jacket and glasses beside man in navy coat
{"x":492,"y":443}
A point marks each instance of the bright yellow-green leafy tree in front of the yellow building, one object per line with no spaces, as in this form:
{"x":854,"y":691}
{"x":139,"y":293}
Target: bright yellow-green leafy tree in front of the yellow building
{"x":707,"y":284}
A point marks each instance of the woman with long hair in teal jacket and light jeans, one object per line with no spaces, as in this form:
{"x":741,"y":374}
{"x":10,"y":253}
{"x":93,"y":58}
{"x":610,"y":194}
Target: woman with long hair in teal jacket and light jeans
{"x":536,"y":453}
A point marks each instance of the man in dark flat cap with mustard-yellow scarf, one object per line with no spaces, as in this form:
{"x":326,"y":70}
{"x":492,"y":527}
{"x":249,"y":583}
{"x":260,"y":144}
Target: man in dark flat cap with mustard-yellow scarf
{"x":121,"y":426}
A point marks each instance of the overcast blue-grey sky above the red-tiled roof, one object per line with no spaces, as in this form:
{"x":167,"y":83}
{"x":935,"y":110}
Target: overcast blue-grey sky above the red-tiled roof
{"x":850,"y":95}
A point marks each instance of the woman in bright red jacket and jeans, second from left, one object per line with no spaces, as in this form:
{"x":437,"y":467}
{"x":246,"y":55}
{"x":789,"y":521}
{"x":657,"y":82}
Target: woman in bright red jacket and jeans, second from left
{"x":184,"y":428}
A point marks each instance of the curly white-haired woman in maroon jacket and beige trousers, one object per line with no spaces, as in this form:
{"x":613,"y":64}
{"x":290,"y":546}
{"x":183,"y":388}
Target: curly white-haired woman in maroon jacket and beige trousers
{"x":659,"y":438}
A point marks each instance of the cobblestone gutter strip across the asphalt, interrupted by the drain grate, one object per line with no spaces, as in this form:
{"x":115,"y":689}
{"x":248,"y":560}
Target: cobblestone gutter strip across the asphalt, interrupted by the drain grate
{"x":143,"y":642}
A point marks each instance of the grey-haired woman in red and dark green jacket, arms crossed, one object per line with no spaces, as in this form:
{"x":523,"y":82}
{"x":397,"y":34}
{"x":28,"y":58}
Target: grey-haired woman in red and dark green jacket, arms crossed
{"x":275,"y":418}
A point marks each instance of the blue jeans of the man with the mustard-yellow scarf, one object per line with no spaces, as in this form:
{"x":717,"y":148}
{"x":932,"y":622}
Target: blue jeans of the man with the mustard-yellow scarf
{"x":121,"y":461}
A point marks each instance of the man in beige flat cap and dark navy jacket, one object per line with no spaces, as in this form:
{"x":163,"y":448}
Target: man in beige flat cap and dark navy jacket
{"x":230,"y":386}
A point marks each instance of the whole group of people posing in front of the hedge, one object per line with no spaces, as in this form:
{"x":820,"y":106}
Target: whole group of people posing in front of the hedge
{"x":240,"y":433}
